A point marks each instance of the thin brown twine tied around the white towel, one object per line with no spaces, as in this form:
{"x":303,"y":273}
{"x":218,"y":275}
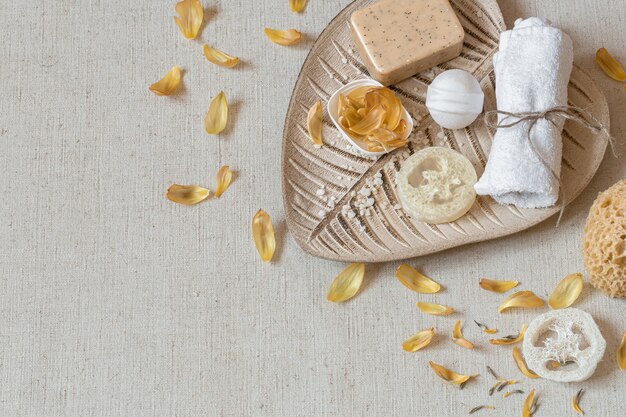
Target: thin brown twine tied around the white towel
{"x":573,"y":113}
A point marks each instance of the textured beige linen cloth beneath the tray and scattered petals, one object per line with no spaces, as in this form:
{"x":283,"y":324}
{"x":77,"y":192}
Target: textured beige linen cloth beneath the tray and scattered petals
{"x":116,"y":302}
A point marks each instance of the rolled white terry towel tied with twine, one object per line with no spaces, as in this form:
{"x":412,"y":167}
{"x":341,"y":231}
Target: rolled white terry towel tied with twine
{"x":533,"y":68}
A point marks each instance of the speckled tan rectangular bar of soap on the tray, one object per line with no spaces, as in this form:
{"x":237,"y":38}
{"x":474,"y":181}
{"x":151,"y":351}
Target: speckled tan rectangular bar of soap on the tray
{"x":400,"y":38}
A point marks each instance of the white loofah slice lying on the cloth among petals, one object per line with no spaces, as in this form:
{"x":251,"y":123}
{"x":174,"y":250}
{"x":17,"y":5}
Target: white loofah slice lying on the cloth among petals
{"x":564,"y":345}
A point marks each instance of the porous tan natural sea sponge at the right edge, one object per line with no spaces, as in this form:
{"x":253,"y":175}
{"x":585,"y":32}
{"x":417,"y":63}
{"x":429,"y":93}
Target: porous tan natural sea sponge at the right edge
{"x":604,"y":241}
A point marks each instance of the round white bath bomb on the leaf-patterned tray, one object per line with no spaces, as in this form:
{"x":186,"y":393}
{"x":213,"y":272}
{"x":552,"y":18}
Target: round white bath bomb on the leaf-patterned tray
{"x":455,"y":99}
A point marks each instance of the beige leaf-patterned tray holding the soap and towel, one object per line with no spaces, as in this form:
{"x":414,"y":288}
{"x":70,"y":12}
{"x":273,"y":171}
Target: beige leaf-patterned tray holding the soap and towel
{"x":386,"y":233}
